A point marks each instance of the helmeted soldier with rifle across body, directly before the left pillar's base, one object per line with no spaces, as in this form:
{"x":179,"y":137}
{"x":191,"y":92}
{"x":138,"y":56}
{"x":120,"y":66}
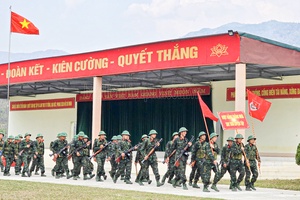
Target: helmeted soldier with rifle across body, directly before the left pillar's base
{"x":100,"y":157}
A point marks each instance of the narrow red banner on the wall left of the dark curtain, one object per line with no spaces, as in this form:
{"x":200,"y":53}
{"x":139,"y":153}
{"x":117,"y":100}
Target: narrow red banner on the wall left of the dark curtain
{"x":43,"y":104}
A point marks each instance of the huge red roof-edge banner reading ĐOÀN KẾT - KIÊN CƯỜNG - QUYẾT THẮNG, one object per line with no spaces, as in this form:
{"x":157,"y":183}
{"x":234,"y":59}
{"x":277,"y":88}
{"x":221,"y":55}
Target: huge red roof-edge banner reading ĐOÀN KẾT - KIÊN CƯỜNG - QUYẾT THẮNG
{"x":217,"y":49}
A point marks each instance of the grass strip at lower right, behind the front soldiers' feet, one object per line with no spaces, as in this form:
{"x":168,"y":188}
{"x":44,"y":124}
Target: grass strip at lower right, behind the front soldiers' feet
{"x":293,"y":184}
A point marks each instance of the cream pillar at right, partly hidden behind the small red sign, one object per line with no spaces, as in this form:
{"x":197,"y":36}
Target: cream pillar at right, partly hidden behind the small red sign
{"x":240,"y":90}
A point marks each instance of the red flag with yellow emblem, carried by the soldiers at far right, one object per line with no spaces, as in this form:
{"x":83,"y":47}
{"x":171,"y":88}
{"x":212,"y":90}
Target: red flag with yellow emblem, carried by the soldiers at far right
{"x":257,"y":106}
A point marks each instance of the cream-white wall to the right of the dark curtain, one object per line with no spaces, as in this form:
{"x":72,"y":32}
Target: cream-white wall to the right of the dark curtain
{"x":279,"y":133}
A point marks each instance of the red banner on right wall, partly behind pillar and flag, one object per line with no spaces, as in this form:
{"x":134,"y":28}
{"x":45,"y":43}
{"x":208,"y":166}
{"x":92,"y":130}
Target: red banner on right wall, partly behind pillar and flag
{"x":270,"y":91}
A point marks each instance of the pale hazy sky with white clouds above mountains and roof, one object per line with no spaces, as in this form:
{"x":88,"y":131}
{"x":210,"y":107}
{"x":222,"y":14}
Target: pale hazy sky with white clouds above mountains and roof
{"x":88,"y":25}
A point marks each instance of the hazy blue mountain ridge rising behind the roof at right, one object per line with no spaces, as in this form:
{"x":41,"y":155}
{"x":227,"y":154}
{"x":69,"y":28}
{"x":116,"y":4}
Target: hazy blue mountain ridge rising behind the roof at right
{"x":285,"y":32}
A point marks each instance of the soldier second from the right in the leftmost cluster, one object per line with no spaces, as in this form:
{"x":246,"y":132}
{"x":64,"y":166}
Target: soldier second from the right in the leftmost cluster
{"x":28,"y":151}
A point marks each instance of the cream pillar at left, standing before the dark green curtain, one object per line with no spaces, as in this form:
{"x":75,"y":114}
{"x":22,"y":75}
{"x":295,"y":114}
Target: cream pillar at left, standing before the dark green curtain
{"x":97,"y":103}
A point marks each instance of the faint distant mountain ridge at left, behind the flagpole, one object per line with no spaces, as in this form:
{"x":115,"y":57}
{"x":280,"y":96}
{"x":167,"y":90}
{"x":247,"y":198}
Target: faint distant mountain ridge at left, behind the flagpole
{"x":28,"y":56}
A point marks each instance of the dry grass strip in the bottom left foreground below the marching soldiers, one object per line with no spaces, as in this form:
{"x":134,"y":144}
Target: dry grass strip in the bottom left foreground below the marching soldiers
{"x":31,"y":190}
